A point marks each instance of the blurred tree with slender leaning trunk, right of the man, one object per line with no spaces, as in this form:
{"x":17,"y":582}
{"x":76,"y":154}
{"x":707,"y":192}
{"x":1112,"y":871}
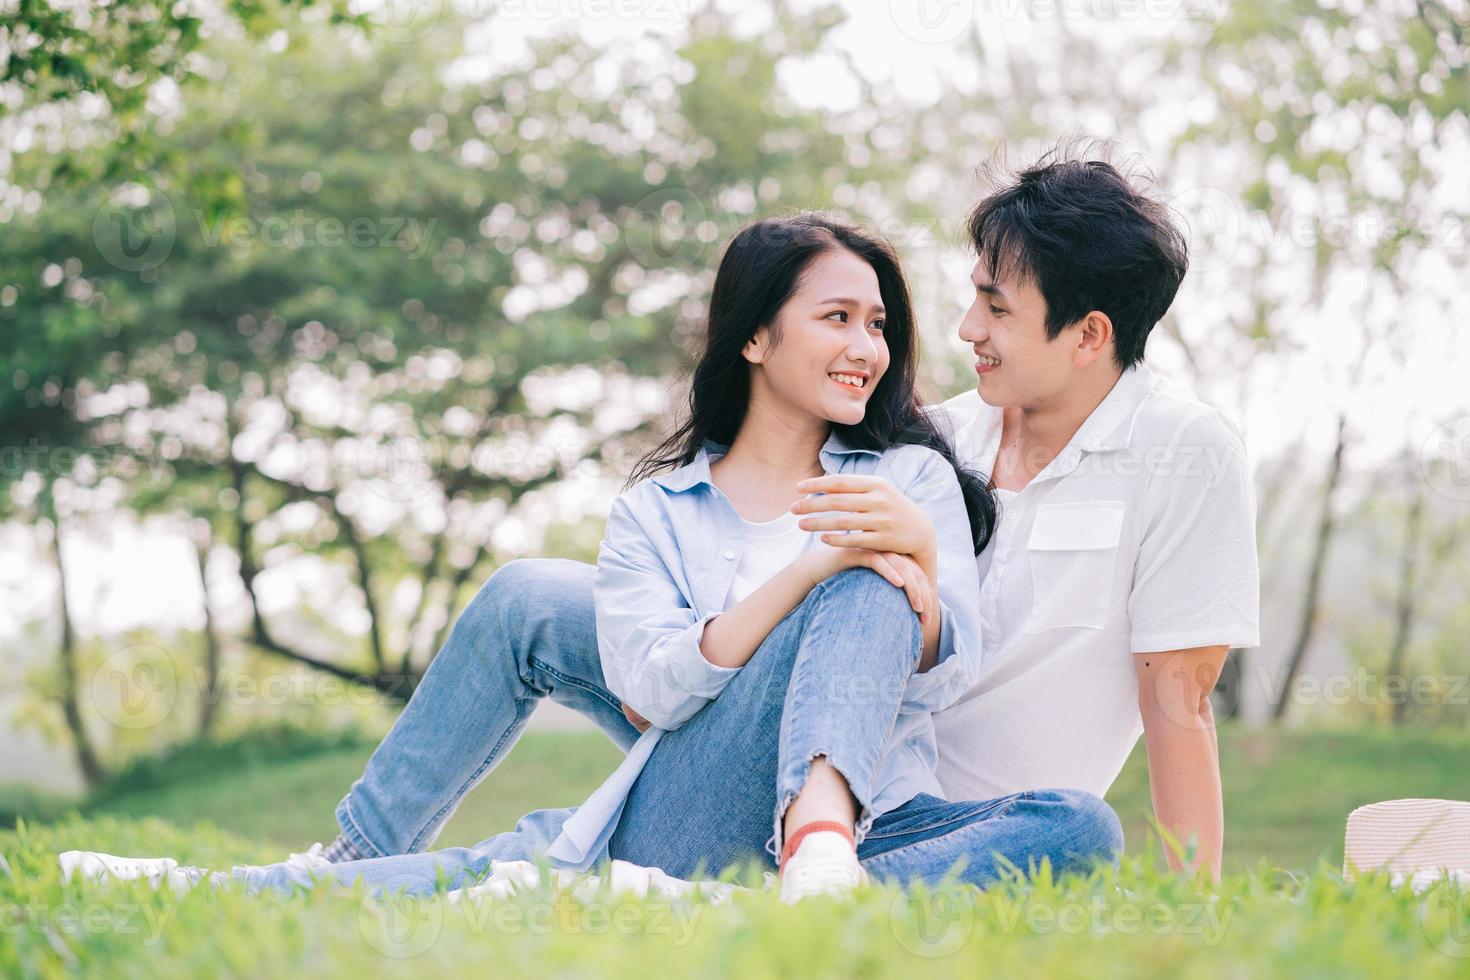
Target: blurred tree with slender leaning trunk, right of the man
{"x":1343,"y":112}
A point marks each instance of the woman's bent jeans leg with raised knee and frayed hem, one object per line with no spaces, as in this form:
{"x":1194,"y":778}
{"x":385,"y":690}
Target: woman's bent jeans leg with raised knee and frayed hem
{"x":825,"y":684}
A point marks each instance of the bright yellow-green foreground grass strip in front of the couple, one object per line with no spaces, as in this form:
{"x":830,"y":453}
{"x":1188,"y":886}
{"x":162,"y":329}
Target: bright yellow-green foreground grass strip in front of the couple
{"x":1137,"y":922}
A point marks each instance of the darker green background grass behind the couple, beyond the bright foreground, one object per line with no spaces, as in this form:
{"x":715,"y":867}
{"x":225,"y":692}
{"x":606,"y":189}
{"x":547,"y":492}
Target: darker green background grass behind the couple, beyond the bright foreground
{"x":1288,"y":794}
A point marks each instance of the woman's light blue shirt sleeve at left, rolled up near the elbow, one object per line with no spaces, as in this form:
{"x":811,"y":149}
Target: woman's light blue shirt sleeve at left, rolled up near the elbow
{"x":648,"y":633}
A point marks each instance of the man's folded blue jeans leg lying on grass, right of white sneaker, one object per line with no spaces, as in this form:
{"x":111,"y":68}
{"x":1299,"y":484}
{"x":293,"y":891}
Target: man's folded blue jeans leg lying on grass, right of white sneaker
{"x":928,"y":838}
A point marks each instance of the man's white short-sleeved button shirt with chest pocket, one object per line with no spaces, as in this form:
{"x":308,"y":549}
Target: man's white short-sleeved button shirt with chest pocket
{"x":1140,"y":537}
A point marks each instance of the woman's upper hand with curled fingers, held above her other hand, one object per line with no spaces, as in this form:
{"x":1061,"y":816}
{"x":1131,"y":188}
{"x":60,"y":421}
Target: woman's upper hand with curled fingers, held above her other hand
{"x":878,"y":516}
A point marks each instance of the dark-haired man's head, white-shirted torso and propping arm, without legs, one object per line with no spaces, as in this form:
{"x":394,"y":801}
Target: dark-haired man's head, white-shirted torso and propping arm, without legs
{"x":1125,"y":566}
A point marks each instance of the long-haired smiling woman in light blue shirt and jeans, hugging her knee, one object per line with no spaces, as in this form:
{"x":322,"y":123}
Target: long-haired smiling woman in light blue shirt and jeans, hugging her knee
{"x":724,"y":621}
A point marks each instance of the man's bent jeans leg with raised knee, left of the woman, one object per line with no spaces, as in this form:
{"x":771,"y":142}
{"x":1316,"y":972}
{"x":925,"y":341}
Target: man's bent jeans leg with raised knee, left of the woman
{"x":528,"y":634}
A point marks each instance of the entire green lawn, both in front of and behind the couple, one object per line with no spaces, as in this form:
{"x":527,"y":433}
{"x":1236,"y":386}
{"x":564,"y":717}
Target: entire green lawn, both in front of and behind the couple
{"x":1283,"y":910}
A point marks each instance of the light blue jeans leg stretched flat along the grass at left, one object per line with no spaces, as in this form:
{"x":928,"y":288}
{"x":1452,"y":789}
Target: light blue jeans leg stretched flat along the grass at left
{"x":418,"y":873}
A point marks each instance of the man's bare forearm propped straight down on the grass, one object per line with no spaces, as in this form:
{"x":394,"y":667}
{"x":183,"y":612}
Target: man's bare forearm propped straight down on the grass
{"x":1184,"y":757}
